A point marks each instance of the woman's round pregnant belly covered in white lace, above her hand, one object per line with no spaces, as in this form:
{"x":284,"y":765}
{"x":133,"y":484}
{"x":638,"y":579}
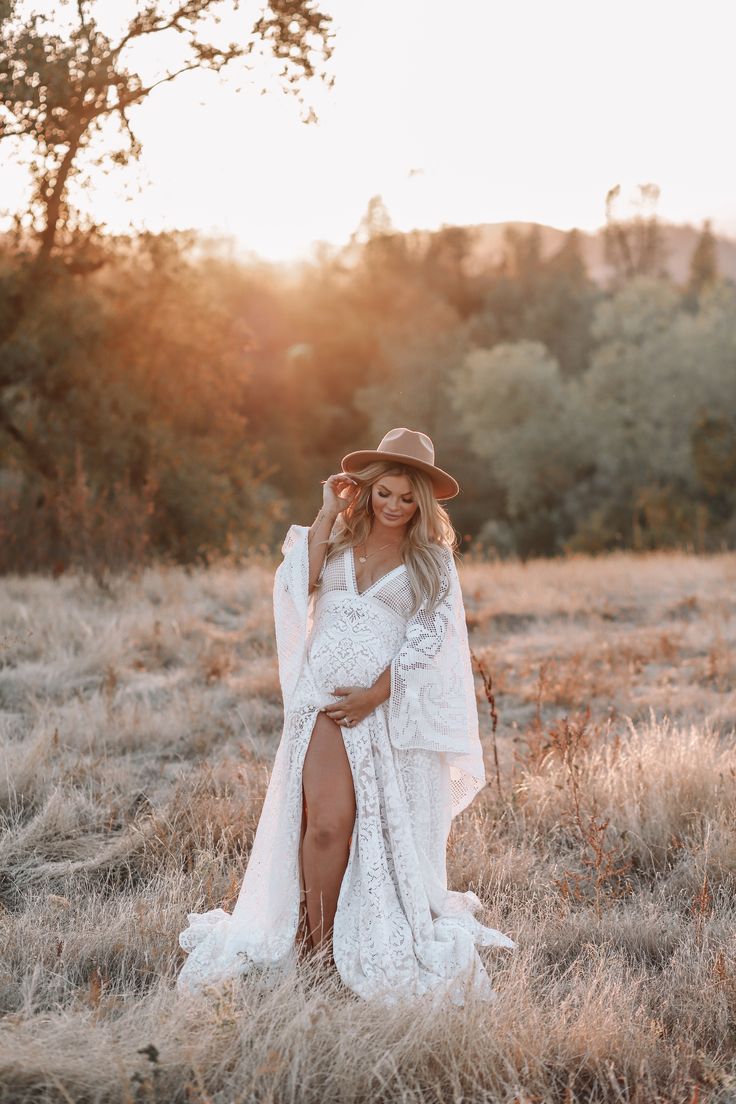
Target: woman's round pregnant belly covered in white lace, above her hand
{"x":353,"y":642}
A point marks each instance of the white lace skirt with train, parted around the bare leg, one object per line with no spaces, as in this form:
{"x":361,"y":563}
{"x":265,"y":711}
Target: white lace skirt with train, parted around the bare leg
{"x":399,"y":932}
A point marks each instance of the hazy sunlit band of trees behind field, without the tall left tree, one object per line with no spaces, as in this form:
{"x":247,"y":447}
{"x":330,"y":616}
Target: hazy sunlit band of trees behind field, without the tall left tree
{"x":188,"y":405}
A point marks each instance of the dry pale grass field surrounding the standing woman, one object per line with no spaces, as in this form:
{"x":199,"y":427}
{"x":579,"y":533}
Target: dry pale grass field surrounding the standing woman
{"x":138,"y":727}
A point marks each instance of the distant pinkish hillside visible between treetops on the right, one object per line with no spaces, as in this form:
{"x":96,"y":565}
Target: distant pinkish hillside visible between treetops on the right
{"x":680,"y":242}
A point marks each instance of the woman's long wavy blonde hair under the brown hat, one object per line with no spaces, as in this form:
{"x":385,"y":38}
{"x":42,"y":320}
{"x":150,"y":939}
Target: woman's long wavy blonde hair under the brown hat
{"x":429,"y":532}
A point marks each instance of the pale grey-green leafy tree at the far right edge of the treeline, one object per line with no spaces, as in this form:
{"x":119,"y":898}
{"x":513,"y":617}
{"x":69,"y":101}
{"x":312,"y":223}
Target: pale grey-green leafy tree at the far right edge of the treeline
{"x":660,"y":380}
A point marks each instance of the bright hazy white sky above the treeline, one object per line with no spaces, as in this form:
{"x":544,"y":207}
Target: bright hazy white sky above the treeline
{"x":455,"y":112}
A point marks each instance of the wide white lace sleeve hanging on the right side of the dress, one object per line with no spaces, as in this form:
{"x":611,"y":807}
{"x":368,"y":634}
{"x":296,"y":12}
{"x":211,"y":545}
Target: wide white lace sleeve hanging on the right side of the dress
{"x":433,"y":695}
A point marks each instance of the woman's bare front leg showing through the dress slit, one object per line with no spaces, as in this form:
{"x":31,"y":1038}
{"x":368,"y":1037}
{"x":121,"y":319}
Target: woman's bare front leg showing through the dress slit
{"x":330,"y":801}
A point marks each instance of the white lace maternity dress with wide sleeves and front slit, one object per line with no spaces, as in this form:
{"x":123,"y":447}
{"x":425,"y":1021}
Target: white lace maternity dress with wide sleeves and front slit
{"x":417,"y":762}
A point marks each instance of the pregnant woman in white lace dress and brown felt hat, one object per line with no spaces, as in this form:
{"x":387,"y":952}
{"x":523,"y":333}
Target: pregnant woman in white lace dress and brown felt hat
{"x":380,"y":749}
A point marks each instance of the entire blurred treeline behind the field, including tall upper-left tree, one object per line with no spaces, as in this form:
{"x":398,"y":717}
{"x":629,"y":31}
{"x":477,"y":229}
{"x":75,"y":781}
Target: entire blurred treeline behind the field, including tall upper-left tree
{"x":159,"y":398}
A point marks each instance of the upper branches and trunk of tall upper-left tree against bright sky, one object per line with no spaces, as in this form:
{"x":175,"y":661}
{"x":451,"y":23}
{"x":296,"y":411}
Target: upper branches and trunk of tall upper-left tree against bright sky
{"x":58,"y":92}
